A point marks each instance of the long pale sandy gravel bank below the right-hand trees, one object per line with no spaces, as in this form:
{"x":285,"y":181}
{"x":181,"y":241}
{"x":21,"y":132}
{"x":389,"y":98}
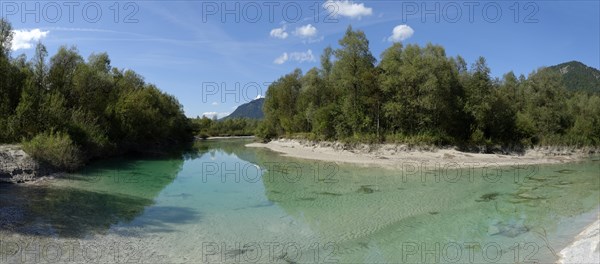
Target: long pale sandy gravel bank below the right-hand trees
{"x":394,"y":156}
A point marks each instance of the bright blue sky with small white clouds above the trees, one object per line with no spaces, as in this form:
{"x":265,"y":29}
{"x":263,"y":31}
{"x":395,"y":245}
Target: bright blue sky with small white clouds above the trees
{"x":216,"y":55}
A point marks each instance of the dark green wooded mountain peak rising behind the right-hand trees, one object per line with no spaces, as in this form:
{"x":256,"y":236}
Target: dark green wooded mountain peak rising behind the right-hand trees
{"x":578,"y":76}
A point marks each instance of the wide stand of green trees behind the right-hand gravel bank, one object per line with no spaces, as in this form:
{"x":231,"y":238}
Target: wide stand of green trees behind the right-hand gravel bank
{"x":419,"y":95}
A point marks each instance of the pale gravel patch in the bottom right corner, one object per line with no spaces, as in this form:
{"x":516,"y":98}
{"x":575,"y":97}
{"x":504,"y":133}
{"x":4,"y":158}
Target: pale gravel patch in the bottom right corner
{"x":585,"y":247}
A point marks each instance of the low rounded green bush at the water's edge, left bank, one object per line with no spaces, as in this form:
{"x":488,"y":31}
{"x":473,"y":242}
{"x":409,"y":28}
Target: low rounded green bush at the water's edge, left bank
{"x":56,"y":149}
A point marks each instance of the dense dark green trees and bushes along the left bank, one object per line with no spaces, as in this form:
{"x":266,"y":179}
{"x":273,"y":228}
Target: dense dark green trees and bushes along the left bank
{"x":66,"y":110}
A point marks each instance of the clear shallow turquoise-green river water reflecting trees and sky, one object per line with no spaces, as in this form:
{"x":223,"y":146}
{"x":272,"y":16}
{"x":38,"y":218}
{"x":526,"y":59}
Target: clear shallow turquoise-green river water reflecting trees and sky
{"x":227,"y":203}
